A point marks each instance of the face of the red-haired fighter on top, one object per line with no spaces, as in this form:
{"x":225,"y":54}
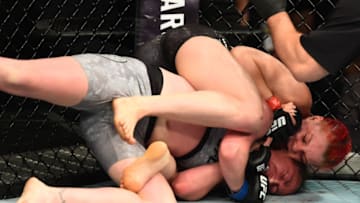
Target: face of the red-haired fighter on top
{"x":309,"y":144}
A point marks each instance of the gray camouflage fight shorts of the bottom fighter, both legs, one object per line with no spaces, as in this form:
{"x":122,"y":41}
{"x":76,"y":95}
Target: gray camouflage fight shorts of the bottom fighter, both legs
{"x":111,"y":76}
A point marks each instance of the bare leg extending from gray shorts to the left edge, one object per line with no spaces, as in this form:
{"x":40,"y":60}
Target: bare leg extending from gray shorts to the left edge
{"x":59,"y":80}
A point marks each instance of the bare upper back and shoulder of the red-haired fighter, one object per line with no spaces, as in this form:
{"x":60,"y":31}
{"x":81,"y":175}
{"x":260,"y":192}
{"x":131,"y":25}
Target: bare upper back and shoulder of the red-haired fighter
{"x":273,"y":78}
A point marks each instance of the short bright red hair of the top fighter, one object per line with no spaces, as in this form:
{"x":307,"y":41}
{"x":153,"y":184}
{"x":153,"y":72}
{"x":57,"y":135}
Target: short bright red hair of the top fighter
{"x":339,"y":142}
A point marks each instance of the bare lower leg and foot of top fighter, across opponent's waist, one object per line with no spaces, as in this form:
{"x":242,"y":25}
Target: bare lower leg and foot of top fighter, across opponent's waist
{"x":206,"y":108}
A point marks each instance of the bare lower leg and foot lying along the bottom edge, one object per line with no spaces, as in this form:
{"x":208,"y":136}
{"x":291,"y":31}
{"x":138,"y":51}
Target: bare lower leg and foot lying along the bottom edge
{"x":35,"y":191}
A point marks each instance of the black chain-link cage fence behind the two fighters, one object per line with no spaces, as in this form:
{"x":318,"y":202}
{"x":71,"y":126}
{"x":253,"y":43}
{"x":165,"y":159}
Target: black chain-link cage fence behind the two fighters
{"x":40,"y":139}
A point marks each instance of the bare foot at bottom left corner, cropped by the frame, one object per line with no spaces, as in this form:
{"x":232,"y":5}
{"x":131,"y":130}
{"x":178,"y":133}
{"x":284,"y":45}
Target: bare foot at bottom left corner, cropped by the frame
{"x":36,"y":191}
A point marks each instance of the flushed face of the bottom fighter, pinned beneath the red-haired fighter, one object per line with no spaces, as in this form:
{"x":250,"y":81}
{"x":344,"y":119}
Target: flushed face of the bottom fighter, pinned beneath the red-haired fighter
{"x":283,"y":173}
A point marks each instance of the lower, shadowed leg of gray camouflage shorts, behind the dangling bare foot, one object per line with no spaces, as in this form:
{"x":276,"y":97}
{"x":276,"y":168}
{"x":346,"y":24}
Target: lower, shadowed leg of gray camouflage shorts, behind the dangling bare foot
{"x":104,"y":141}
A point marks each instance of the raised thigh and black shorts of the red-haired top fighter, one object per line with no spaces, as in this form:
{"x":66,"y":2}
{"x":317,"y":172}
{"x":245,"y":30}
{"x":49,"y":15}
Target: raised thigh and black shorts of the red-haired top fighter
{"x":203,"y":58}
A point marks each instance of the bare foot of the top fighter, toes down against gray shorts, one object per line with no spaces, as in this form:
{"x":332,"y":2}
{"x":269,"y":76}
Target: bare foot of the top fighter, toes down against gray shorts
{"x":127,"y":113}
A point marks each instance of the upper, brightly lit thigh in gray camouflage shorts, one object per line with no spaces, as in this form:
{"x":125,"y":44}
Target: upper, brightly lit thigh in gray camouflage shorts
{"x":111,"y":76}
